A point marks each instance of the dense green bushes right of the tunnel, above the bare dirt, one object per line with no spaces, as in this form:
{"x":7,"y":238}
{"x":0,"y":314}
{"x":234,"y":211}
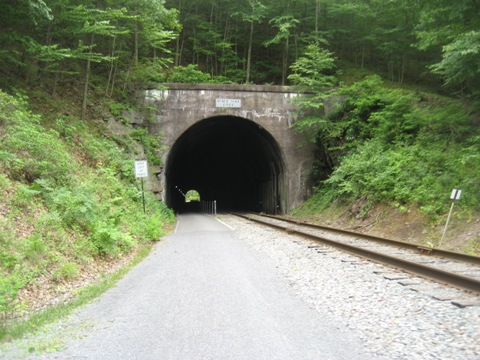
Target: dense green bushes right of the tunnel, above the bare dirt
{"x":402,"y":147}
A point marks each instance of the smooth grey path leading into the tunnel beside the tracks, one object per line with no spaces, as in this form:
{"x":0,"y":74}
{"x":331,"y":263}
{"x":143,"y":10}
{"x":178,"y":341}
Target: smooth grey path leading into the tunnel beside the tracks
{"x":205,"y":292}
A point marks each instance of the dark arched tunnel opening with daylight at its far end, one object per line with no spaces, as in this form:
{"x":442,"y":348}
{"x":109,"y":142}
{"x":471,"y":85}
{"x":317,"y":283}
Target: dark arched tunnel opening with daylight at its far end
{"x":230,"y":160}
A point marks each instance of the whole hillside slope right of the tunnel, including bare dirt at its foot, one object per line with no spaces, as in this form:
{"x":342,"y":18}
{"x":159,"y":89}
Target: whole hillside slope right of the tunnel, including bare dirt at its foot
{"x":388,"y":159}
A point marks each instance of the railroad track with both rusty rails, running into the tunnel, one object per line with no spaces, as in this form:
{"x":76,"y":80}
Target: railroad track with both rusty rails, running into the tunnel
{"x":453,"y":269}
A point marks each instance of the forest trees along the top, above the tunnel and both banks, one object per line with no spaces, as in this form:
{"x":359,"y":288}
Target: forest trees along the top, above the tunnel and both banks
{"x":255,"y":41}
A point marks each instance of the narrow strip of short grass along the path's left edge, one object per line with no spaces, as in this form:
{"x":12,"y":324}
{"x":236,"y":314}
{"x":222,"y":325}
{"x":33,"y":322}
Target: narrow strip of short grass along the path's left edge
{"x":17,"y":329}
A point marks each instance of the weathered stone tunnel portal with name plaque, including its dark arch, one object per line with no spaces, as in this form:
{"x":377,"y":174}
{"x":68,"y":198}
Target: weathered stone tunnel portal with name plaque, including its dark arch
{"x":185,"y":113}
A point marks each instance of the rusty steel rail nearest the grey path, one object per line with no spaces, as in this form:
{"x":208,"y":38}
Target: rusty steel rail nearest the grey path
{"x":459,"y":281}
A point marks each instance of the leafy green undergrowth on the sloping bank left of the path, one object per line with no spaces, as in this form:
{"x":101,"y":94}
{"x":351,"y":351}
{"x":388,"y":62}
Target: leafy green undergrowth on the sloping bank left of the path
{"x":68,"y":198}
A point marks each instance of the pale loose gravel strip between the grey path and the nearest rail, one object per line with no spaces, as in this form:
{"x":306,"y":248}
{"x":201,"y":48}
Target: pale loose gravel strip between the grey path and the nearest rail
{"x":394,"y":321}
